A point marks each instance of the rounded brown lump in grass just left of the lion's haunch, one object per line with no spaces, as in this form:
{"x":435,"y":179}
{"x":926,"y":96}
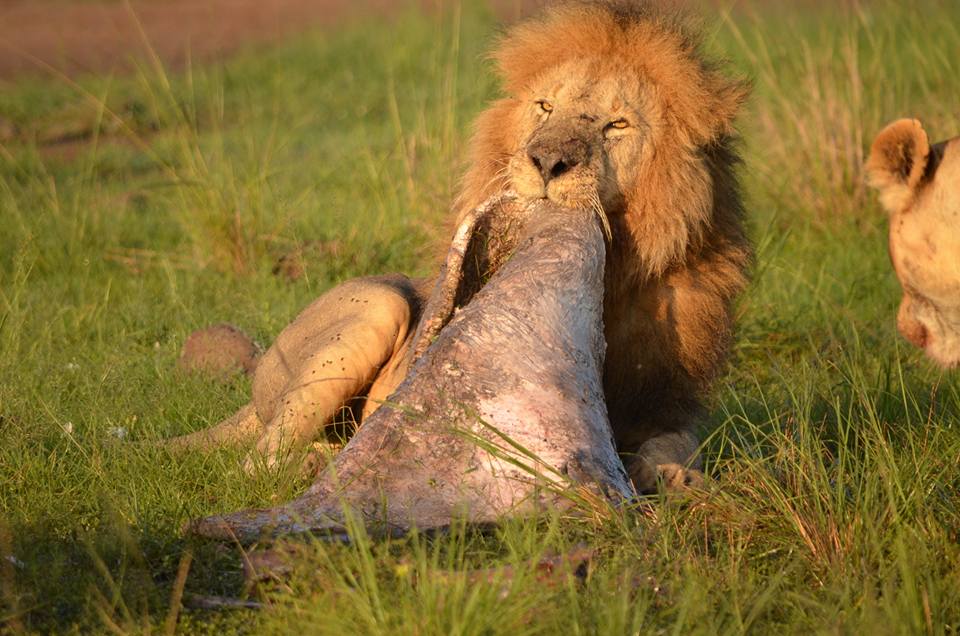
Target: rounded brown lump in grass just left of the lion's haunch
{"x":221,"y":351}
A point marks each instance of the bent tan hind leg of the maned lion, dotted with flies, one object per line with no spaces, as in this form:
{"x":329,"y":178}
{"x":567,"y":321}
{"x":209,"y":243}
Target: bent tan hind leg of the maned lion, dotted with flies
{"x":330,"y":355}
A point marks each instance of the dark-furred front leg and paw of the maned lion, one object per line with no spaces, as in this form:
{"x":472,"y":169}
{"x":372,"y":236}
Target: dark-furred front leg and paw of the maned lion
{"x":667,"y":341}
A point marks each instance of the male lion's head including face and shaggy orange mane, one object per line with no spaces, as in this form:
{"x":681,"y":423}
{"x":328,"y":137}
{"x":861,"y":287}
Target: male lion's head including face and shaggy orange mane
{"x":611,"y":103}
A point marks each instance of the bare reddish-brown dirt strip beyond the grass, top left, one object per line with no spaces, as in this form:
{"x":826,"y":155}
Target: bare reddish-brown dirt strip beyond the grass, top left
{"x":76,"y":37}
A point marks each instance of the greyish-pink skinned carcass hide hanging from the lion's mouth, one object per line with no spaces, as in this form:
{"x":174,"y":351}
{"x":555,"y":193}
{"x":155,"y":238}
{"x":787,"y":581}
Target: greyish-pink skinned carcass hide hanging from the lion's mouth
{"x":502,"y":410}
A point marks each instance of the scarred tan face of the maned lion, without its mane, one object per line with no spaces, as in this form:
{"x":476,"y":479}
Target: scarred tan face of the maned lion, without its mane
{"x":577,"y":135}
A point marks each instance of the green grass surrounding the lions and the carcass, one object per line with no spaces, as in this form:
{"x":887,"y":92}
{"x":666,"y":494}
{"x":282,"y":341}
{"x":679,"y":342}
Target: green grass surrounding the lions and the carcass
{"x":833,"y":446}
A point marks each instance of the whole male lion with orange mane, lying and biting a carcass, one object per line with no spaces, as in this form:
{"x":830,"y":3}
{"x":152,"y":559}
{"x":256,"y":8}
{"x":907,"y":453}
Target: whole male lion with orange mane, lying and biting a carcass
{"x":610,"y":105}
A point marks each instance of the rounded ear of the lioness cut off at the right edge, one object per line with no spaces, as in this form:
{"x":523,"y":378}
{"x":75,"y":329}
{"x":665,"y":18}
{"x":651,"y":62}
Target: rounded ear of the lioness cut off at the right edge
{"x":897,"y":162}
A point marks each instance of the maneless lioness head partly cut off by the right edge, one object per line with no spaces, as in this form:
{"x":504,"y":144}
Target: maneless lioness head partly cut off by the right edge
{"x":919,"y":185}
